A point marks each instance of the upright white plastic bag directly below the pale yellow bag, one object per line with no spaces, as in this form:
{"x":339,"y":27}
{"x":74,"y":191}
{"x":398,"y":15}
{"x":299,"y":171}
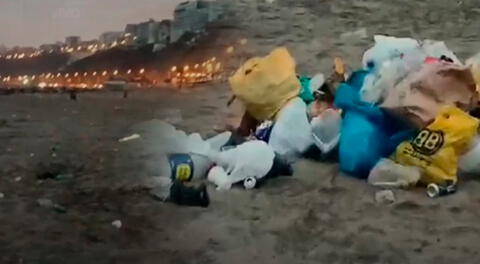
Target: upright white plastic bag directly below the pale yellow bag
{"x":292,"y":134}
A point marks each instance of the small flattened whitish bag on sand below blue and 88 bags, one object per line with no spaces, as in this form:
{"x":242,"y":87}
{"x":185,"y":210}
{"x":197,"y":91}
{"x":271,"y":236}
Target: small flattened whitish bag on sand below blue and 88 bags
{"x":388,"y":174}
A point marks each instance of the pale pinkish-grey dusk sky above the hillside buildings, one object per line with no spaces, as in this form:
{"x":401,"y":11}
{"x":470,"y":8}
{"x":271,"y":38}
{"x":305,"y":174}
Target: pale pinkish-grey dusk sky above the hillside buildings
{"x":35,"y":22}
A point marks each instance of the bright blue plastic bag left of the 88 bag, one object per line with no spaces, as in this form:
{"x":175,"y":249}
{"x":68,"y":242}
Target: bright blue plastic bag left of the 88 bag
{"x":368,"y":133}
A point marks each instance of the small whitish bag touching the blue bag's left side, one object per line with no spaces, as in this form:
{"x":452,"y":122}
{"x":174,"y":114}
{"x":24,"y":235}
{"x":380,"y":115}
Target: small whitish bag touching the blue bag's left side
{"x":326,"y":130}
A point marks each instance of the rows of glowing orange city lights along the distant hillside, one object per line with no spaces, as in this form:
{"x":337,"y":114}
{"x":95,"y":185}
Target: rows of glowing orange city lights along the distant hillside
{"x":189,"y":73}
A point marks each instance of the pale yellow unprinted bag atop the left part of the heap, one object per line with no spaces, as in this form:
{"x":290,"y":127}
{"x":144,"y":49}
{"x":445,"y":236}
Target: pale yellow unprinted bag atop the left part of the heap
{"x":266,"y":84}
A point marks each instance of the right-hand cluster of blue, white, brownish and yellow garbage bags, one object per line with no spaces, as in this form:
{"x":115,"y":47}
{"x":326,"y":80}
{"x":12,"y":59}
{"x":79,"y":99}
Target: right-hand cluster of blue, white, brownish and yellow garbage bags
{"x":406,"y":116}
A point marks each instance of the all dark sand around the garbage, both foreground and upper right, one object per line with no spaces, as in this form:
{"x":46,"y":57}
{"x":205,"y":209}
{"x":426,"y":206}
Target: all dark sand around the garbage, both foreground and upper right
{"x":317,"y":216}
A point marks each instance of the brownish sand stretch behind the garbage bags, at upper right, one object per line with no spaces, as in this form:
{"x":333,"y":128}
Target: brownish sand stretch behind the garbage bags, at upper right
{"x":317,"y":30}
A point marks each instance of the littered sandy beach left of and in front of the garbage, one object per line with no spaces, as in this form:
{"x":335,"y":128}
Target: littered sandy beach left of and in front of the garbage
{"x":317,"y":216}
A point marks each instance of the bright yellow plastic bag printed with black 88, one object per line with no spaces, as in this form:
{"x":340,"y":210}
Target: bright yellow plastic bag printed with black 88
{"x":436,"y":148}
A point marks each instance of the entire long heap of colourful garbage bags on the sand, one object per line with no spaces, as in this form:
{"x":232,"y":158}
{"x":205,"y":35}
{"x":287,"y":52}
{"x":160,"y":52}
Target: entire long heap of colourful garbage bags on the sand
{"x":406,"y":118}
